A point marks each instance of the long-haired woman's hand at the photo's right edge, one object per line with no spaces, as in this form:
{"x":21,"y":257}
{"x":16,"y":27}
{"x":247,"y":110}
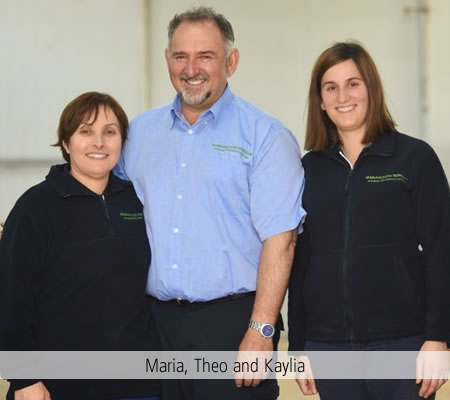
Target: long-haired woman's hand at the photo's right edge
{"x":432,"y":371}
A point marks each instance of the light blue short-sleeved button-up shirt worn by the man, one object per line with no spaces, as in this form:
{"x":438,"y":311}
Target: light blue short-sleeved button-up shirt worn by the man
{"x":212,"y":193}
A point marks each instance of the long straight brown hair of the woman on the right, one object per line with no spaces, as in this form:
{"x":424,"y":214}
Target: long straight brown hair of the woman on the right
{"x":321,"y":132}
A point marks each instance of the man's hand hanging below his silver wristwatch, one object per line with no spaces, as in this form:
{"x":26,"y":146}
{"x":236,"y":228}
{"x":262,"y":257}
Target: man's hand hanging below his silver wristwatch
{"x":254,"y":342}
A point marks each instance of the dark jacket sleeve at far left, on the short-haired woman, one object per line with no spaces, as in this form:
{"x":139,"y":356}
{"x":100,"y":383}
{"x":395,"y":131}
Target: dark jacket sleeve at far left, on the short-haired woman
{"x":22,"y":253}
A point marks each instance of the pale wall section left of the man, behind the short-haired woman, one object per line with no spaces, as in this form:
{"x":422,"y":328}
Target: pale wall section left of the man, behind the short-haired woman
{"x":52,"y":51}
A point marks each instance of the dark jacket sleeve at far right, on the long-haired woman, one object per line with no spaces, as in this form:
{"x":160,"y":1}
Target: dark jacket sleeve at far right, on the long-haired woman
{"x":432,"y":208}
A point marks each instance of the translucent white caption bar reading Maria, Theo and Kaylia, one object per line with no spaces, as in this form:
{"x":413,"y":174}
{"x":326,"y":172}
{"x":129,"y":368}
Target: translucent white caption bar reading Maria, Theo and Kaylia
{"x":222,"y":365}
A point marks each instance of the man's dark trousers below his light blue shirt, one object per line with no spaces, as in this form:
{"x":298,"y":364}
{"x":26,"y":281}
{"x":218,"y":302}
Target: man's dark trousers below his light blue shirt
{"x":208,"y":327}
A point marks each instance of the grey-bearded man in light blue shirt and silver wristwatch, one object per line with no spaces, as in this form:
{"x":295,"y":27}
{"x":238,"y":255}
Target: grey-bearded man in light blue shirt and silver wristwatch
{"x":221,"y":183}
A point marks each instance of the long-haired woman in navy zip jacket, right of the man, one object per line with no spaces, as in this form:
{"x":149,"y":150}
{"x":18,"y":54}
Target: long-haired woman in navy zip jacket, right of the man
{"x":372,"y":267}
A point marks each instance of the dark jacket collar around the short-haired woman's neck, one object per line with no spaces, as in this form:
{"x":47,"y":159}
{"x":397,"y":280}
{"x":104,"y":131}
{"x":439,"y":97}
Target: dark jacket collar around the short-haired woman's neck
{"x":66,"y":185}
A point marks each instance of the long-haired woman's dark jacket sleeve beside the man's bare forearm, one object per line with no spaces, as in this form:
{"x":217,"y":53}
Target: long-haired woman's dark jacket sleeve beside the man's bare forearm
{"x":296,"y":308}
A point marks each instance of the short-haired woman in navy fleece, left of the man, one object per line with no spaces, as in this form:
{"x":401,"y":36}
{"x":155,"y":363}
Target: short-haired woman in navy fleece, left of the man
{"x":74,"y":258}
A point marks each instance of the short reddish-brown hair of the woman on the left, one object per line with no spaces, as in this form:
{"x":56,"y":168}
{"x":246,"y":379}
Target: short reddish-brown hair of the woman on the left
{"x":81,"y":109}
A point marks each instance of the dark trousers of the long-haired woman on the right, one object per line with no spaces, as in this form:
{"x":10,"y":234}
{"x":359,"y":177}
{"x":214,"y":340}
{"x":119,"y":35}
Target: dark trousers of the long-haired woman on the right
{"x":369,"y":389}
